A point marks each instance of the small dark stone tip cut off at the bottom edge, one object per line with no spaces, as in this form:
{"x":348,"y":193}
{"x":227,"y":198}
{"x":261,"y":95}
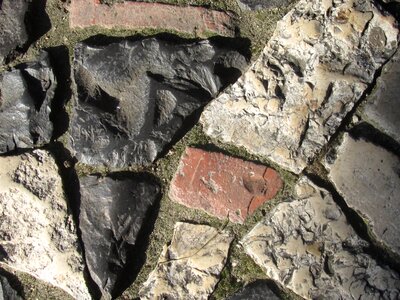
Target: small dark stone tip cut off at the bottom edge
{"x":257,"y":290}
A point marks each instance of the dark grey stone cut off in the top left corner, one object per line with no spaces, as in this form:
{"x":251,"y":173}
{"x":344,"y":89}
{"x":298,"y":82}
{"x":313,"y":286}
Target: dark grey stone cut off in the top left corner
{"x":12,"y":26}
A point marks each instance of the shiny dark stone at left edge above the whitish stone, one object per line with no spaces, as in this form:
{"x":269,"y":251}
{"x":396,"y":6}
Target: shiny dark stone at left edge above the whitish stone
{"x":25,"y":105}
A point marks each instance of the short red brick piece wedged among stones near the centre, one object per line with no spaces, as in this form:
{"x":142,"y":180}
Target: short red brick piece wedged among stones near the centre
{"x":221,"y":185}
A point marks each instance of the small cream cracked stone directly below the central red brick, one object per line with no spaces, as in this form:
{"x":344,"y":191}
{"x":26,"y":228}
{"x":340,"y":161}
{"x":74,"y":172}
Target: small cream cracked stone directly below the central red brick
{"x":190,"y":266}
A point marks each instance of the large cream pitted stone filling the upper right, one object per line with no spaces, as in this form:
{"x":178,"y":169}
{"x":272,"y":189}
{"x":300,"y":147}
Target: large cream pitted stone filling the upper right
{"x":312,"y":71}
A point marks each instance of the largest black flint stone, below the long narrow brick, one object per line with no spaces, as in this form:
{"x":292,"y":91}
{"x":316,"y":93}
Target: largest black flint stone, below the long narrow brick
{"x":133,"y":97}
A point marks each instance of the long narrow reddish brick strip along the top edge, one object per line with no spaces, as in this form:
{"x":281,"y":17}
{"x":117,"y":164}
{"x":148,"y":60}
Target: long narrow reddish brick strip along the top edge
{"x":139,"y":15}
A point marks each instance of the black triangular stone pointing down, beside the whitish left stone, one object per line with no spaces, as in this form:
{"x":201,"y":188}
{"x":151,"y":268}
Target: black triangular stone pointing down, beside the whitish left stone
{"x":113,"y":210}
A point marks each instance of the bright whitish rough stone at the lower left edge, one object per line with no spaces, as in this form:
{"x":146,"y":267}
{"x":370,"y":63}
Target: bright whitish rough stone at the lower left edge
{"x":37,"y":234}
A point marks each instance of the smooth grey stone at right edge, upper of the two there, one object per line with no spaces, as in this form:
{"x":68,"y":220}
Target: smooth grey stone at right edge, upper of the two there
{"x":383,"y":106}
